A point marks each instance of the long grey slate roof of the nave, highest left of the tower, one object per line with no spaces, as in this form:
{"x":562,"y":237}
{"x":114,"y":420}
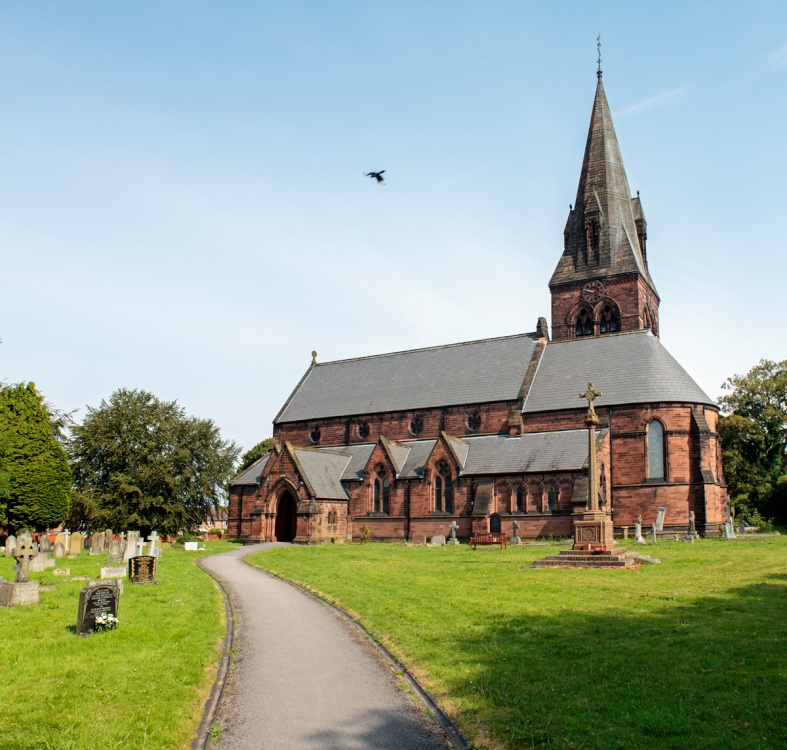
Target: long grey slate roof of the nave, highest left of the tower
{"x":467,"y":373}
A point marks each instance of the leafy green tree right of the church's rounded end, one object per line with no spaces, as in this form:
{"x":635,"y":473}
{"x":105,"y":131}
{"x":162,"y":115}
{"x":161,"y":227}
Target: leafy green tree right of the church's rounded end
{"x":753,"y":430}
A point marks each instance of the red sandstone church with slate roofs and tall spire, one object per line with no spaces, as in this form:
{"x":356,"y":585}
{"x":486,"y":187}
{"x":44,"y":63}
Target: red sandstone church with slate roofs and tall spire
{"x":485,"y":433}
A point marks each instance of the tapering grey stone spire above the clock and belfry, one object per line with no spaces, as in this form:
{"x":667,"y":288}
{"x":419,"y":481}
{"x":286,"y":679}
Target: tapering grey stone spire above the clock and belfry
{"x":606,"y":230}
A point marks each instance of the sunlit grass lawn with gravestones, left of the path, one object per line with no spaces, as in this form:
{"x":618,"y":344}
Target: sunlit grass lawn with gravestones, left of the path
{"x":140,"y":687}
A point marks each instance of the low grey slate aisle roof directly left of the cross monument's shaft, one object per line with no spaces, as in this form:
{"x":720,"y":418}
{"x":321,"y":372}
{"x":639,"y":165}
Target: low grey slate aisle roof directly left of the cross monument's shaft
{"x":565,"y":450}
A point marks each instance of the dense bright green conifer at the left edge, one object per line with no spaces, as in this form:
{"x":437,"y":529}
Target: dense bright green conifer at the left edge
{"x":35,"y":479}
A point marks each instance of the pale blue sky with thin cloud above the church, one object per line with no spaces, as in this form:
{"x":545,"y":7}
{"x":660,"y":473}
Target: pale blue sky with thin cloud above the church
{"x":182,"y":206}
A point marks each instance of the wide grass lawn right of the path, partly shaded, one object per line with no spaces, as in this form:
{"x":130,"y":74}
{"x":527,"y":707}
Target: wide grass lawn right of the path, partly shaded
{"x":690,"y":653}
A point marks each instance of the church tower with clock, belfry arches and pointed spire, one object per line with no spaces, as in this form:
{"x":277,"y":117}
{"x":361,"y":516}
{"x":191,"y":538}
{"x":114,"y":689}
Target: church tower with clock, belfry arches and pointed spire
{"x":602,"y":284}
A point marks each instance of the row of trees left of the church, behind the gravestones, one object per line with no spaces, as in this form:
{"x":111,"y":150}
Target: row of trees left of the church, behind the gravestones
{"x":135,"y":461}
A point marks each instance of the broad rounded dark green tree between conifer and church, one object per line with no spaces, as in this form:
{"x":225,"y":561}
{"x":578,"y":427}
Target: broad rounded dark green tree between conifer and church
{"x":143,"y":463}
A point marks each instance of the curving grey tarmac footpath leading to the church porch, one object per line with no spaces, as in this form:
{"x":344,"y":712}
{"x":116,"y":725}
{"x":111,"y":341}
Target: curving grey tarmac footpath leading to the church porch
{"x":303,"y":677}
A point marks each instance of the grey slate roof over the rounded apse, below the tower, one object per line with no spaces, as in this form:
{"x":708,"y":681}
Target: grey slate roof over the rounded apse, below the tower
{"x":628,"y":368}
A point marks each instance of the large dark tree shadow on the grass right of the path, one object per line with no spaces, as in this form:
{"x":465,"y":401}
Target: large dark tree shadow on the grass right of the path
{"x":657,"y":674}
